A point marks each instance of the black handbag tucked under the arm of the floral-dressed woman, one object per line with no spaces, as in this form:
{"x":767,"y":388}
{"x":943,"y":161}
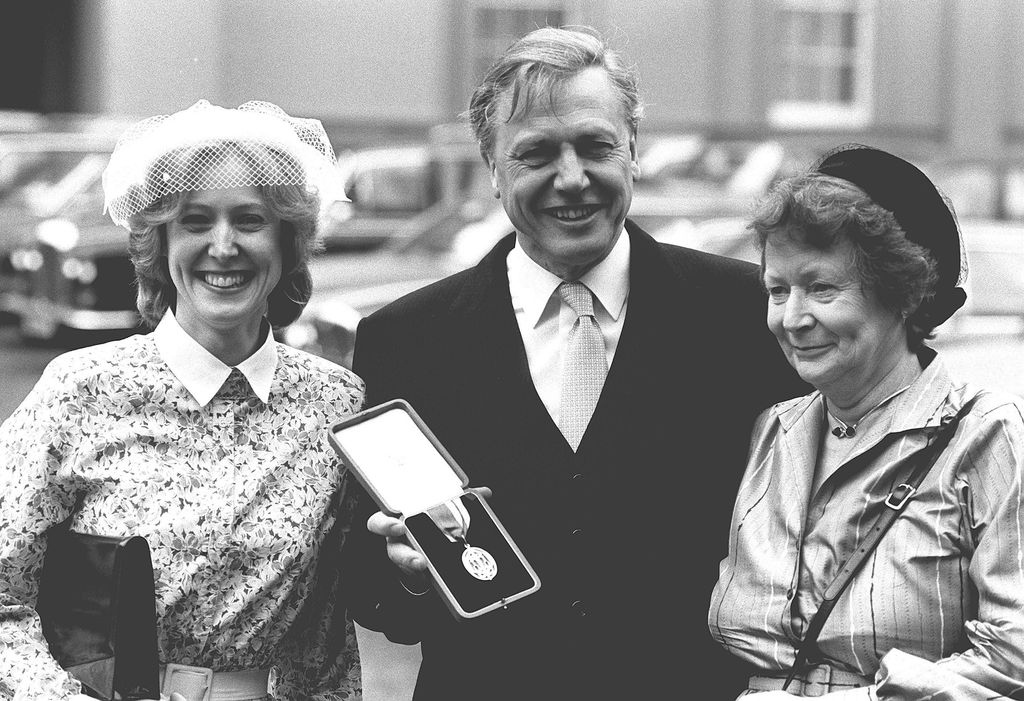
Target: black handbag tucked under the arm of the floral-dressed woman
{"x":98,"y":607}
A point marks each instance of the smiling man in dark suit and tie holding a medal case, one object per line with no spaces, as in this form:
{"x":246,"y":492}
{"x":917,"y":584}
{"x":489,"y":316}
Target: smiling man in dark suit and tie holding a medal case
{"x":603,"y":385}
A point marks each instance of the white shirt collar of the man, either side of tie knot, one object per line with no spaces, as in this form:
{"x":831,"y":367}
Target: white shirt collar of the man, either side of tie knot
{"x":533,"y":285}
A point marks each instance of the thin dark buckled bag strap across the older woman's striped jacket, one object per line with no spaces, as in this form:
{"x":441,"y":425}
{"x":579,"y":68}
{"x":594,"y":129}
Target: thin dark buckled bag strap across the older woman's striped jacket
{"x":938,"y":439}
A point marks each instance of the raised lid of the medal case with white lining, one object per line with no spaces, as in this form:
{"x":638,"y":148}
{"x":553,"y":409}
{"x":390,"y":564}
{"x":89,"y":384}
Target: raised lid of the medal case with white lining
{"x":398,"y":460}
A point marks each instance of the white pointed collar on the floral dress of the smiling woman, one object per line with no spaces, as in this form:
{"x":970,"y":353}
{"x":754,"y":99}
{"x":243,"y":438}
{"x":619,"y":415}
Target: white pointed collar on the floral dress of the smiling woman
{"x":202,"y":373}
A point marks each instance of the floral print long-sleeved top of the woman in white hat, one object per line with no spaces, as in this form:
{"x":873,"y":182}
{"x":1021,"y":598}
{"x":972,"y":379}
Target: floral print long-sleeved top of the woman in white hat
{"x":242,"y":501}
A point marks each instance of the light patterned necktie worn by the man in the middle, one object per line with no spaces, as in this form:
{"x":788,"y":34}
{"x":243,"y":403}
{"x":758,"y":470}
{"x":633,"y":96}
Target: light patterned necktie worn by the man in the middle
{"x":584,"y":366}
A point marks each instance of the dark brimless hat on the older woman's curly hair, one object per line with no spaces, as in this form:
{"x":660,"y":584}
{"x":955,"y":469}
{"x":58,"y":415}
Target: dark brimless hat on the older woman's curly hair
{"x":922,"y":212}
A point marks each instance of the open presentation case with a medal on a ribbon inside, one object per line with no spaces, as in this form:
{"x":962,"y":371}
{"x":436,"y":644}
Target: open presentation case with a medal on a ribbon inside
{"x":474,"y":562}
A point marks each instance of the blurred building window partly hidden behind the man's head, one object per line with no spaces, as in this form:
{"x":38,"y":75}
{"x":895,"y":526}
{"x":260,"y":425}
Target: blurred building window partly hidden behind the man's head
{"x":497,"y":25}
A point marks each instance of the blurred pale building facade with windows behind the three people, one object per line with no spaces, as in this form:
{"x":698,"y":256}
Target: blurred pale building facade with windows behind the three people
{"x":918,"y":76}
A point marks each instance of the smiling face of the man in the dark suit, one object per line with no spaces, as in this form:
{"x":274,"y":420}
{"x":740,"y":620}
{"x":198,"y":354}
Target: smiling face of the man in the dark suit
{"x":564,"y":169}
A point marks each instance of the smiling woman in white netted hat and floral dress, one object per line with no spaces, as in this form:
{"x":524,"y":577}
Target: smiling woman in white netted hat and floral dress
{"x":205,"y":436}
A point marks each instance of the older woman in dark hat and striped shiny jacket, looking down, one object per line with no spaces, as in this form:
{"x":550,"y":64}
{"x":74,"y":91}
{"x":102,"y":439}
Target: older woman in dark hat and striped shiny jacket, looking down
{"x":862,"y":260}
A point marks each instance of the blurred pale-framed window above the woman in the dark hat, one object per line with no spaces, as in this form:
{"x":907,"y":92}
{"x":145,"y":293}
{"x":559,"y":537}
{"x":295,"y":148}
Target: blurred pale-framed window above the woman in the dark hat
{"x":824,"y":64}
